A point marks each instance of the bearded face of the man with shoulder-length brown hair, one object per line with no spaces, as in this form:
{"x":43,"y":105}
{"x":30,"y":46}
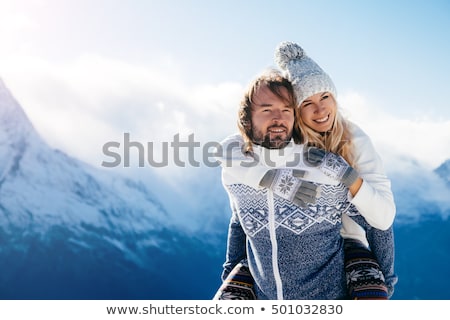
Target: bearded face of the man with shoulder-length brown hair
{"x":272,"y":119}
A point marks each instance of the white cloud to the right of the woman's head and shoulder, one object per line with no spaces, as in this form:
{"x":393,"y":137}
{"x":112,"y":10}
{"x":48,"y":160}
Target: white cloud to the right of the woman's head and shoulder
{"x":423,"y":139}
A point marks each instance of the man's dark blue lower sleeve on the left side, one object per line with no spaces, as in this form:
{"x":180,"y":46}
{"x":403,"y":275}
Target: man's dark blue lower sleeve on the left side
{"x":236,"y":244}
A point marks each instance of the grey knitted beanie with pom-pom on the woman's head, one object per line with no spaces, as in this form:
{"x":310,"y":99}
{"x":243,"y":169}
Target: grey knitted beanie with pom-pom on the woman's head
{"x":305,"y":75}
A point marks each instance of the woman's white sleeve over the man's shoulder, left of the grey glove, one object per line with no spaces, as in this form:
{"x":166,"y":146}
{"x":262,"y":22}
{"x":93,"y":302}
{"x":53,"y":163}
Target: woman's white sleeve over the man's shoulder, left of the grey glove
{"x":237,"y":166}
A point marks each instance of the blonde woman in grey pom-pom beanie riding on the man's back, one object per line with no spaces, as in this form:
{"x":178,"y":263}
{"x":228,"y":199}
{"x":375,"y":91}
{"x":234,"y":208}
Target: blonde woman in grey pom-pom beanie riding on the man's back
{"x":323,"y":126}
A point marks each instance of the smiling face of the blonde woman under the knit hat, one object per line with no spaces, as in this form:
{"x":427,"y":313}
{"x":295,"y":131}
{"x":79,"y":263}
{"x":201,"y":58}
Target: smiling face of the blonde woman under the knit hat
{"x":318,"y":111}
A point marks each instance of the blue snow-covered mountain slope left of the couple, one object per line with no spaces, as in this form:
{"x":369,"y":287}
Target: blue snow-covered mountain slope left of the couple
{"x":71,"y":231}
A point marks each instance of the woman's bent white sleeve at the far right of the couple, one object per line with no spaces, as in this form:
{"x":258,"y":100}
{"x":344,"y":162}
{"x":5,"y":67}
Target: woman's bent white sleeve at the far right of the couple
{"x":374,"y":200}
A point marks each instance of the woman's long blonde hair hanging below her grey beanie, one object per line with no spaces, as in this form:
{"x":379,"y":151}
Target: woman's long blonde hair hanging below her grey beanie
{"x":337,"y":140}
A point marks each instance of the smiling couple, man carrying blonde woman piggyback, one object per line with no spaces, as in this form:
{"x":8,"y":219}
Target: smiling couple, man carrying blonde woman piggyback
{"x":308,"y":194}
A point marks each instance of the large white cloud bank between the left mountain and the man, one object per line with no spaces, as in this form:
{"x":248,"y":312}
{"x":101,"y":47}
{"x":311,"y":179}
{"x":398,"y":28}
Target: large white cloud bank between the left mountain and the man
{"x":78,"y":106}
